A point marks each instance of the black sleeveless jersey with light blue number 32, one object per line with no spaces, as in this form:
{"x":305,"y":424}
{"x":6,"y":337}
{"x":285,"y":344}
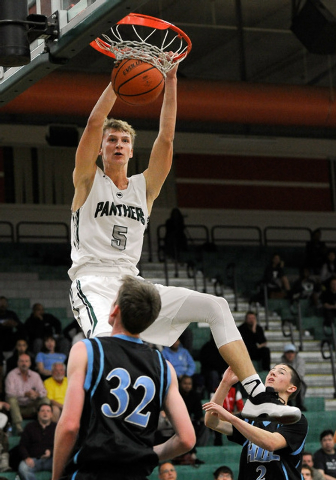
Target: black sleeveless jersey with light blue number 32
{"x":125,"y":385}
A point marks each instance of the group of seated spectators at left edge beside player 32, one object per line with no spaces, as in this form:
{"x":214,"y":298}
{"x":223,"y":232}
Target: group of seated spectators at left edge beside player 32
{"x":33,"y":356}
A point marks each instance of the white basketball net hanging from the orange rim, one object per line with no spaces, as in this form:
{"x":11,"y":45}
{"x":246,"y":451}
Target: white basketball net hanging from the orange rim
{"x":160,"y":57}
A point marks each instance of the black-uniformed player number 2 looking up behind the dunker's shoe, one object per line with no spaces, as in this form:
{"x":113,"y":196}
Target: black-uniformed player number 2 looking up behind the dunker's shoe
{"x":270,"y":450}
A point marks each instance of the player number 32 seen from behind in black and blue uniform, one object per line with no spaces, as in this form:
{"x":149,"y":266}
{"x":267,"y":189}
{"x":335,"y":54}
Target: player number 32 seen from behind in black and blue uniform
{"x":120,"y":385}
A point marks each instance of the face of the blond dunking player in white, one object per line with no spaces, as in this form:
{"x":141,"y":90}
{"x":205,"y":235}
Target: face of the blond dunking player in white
{"x":116,"y":147}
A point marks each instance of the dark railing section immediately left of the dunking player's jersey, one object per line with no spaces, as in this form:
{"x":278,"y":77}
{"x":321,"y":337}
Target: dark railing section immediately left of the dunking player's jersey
{"x":22,"y":232}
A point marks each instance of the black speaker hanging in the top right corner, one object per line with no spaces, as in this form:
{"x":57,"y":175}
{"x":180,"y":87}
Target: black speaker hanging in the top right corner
{"x":315,"y":27}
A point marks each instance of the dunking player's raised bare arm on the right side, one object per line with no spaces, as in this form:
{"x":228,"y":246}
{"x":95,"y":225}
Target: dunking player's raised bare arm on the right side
{"x":160,"y":160}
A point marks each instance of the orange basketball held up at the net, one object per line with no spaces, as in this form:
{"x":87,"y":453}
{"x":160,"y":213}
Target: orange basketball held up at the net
{"x":136,"y":82}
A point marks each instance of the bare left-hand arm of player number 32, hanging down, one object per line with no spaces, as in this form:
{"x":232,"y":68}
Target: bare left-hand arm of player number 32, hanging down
{"x":69,"y":422}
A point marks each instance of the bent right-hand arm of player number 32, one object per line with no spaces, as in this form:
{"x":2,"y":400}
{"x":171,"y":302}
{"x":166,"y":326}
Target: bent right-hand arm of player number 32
{"x":176,"y":411}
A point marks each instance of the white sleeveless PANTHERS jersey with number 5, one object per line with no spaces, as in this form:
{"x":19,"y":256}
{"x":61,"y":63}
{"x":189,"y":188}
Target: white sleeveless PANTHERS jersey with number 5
{"x":107,"y":231}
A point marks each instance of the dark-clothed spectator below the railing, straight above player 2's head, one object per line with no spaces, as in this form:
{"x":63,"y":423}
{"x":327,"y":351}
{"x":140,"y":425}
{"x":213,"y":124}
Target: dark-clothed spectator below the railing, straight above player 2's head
{"x":275,"y":279}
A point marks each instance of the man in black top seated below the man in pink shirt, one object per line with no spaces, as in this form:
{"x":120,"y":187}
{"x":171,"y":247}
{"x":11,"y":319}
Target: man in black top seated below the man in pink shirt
{"x":36,"y":444}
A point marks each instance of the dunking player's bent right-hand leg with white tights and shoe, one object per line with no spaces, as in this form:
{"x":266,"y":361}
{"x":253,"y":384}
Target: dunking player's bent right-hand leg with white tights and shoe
{"x":180,"y":307}
